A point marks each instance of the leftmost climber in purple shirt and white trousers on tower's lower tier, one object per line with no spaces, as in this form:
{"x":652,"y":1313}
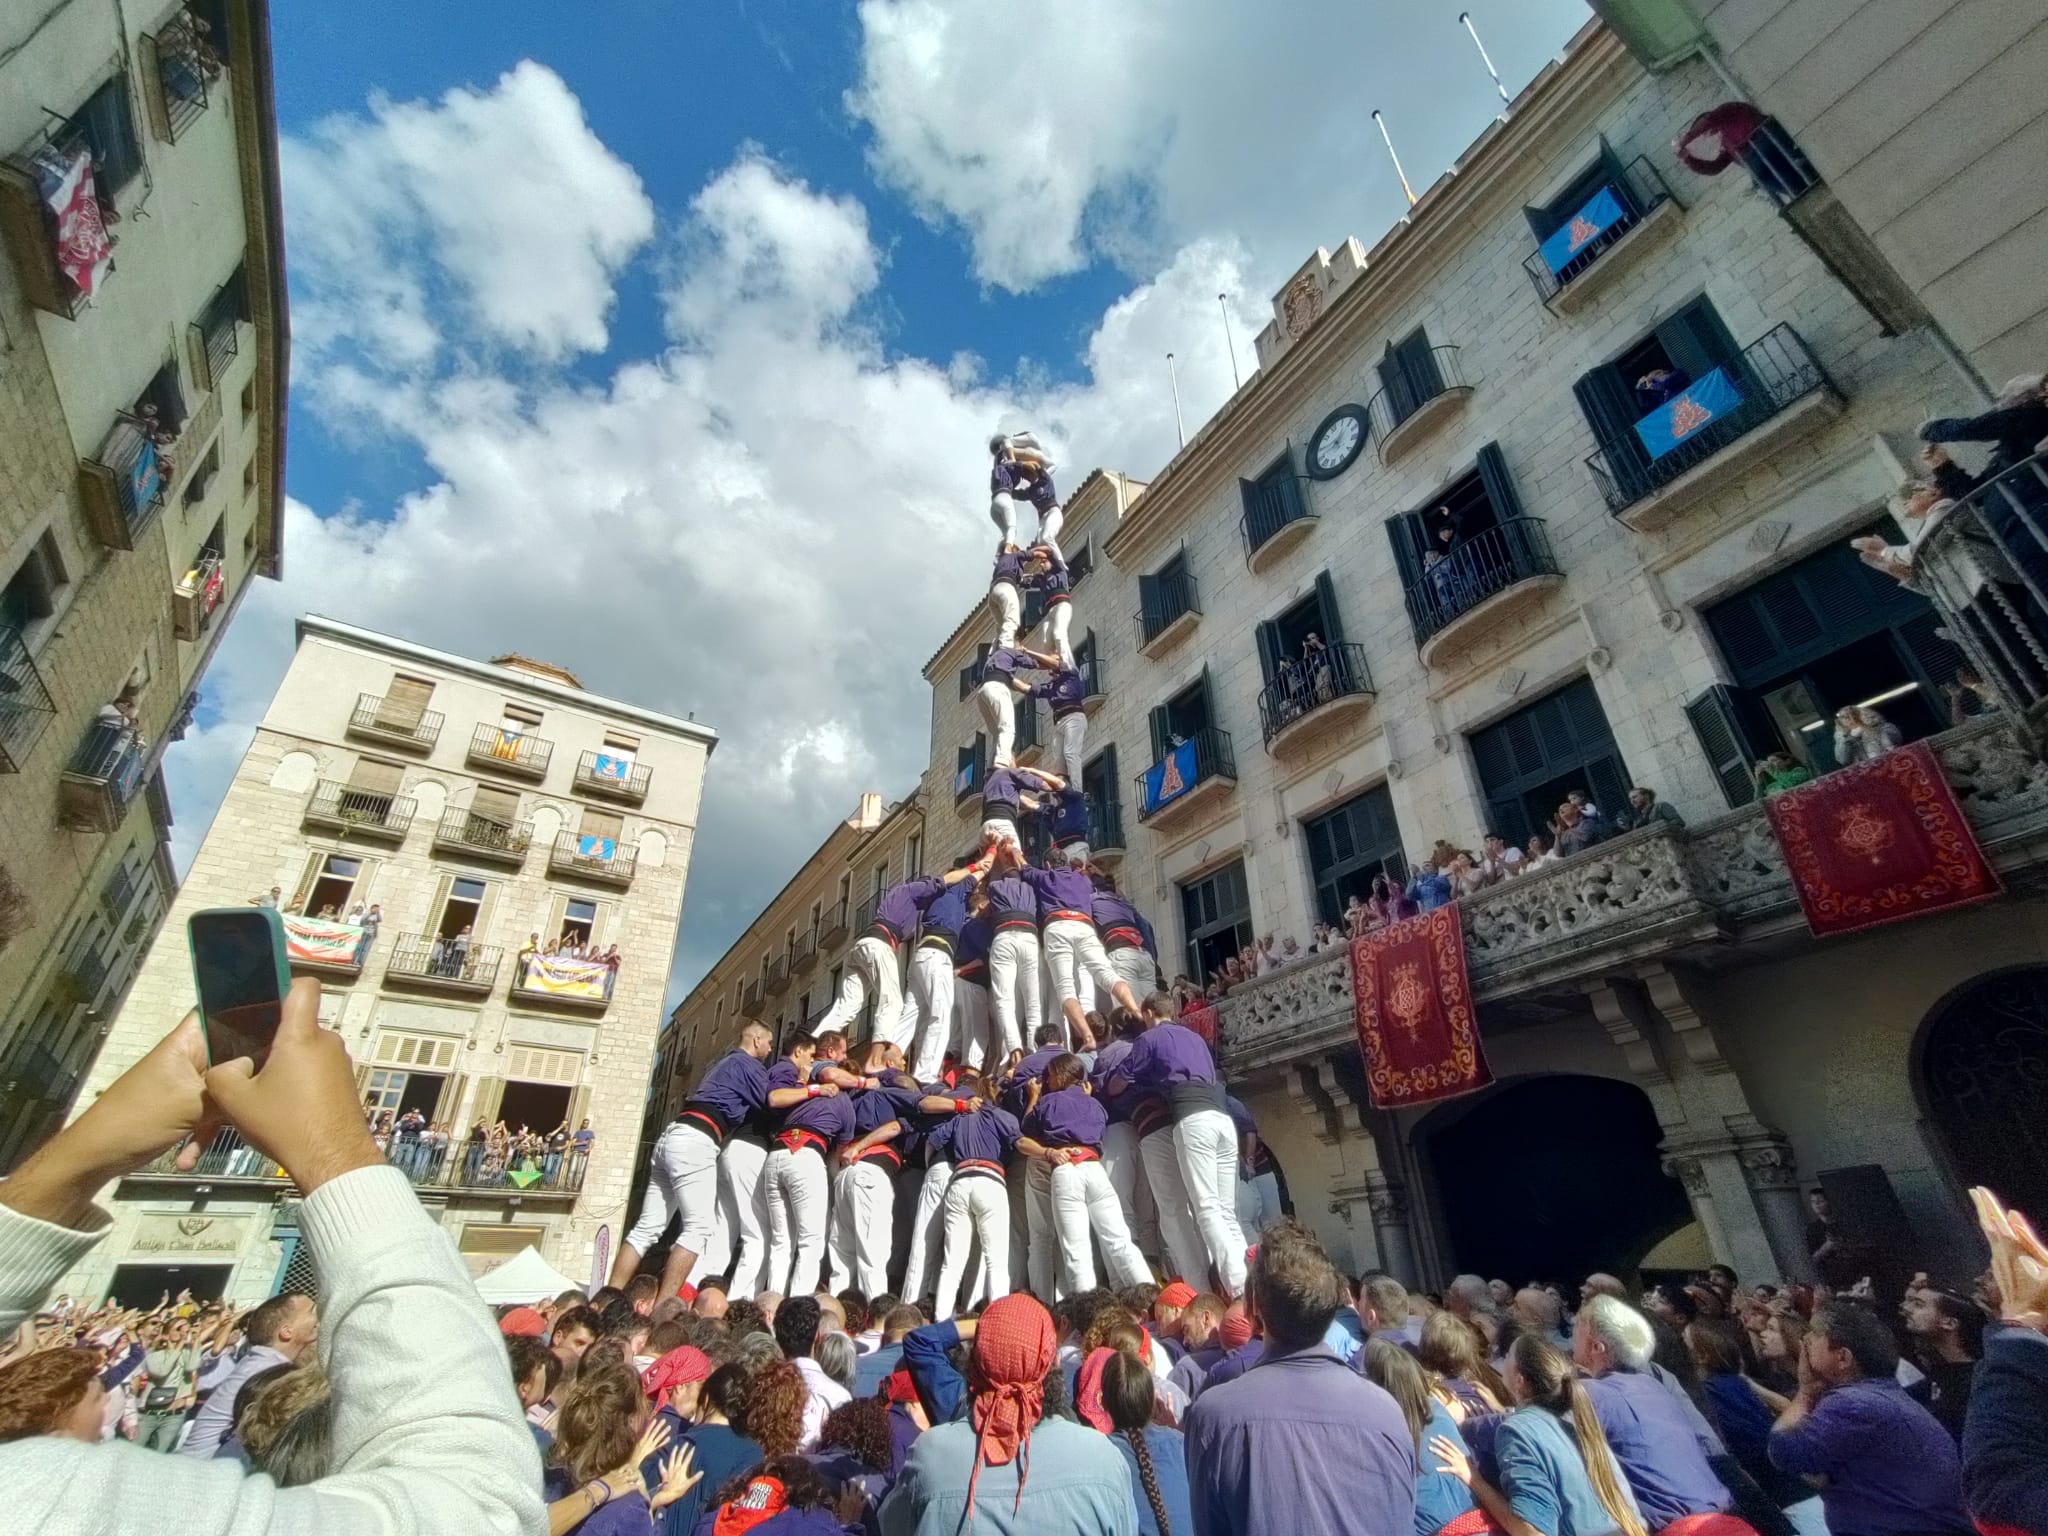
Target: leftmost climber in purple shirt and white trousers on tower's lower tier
{"x":687,"y":1160}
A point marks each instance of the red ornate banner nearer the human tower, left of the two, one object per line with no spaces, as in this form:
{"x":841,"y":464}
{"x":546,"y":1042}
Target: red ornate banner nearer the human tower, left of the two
{"x":1414,"y":1009}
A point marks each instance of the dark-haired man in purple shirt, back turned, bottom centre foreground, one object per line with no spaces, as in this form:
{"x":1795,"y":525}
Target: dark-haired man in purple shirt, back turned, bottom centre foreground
{"x":1302,"y":1443}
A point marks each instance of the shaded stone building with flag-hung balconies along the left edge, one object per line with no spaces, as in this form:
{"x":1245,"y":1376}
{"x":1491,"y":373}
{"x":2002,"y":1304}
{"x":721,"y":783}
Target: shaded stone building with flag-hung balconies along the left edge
{"x":142,"y":413}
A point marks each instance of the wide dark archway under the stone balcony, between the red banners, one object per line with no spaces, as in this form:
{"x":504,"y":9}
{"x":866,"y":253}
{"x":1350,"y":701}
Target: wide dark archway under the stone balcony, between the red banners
{"x":1553,"y":1179}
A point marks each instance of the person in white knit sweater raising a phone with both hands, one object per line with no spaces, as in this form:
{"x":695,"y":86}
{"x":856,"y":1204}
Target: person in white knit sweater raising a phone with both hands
{"x":427,"y":1428}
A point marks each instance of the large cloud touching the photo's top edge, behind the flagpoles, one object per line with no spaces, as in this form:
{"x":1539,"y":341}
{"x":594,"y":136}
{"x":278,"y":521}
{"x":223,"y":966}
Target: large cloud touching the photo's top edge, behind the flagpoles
{"x":1129,"y":128}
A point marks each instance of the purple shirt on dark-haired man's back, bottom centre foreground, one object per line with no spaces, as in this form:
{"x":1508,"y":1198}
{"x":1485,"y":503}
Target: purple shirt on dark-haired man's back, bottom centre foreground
{"x":1302,"y":1443}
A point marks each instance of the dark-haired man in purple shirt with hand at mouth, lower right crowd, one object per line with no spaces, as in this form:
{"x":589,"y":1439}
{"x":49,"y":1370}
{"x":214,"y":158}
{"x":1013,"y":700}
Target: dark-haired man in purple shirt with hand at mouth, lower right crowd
{"x":1889,"y":1465}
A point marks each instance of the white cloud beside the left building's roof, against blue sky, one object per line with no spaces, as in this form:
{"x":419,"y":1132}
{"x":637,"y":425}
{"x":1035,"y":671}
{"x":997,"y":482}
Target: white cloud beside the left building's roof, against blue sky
{"x":517,"y":204}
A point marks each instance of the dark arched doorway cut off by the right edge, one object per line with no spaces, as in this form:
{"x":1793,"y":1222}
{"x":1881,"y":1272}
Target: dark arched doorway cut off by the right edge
{"x":1983,"y":1082}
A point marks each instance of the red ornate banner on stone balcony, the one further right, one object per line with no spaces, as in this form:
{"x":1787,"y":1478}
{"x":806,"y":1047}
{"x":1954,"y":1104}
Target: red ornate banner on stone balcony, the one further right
{"x":1877,"y":843}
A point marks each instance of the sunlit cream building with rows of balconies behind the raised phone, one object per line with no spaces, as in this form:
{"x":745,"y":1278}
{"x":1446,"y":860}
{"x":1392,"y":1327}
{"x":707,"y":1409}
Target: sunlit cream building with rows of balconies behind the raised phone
{"x":480,"y":810}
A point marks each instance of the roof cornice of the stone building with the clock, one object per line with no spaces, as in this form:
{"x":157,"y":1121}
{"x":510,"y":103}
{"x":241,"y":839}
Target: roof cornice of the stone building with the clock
{"x":1451,"y":212}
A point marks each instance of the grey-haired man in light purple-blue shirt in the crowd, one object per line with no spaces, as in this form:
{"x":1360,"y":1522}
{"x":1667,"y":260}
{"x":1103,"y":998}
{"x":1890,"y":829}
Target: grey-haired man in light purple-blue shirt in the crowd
{"x":1660,"y":1449}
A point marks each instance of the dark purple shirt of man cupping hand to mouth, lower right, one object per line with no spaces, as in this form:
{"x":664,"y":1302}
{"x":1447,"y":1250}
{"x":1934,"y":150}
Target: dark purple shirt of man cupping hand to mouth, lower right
{"x":1891,"y":1467}
